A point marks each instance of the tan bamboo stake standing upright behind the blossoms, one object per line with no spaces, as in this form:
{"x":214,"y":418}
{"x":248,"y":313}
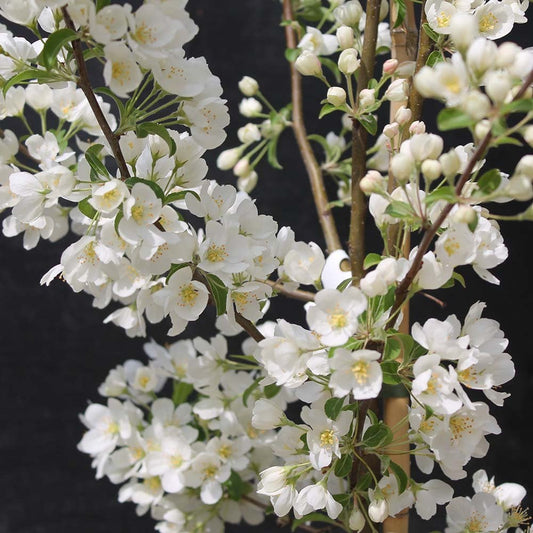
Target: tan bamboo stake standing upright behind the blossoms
{"x":404,"y":46}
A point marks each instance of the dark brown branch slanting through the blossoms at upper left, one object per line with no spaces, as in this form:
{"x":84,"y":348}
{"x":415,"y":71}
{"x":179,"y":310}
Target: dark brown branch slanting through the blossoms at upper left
{"x":85,"y":85}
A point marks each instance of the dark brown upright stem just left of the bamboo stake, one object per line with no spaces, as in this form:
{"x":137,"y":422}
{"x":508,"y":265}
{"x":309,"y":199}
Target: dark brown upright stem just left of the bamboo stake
{"x":359,"y":143}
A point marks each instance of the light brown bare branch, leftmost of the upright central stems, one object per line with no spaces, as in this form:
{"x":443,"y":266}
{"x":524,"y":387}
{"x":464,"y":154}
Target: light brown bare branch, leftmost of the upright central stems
{"x":312,"y":167}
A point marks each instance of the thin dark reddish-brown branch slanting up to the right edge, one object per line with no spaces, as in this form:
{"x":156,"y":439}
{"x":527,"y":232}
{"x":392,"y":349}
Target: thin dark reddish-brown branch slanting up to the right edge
{"x":403,"y":288}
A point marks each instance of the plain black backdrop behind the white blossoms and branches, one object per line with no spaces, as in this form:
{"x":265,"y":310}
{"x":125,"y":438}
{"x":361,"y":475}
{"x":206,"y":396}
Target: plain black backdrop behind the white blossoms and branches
{"x":56,"y":351}
